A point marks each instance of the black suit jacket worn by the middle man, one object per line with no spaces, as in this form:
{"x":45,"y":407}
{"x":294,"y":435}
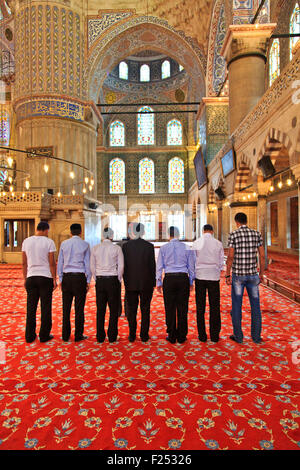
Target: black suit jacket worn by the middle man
{"x":139,"y":265}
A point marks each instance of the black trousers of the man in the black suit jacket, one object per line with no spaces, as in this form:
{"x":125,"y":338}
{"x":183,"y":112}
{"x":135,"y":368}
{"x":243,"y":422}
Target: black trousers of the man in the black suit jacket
{"x":133,"y":299}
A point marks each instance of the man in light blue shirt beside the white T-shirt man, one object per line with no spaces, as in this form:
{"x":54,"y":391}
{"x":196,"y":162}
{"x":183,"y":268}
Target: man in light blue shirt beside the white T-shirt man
{"x":74,"y":275}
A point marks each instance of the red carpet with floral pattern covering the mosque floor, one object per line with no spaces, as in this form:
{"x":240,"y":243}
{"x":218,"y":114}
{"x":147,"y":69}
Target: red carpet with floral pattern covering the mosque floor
{"x":149,"y":396}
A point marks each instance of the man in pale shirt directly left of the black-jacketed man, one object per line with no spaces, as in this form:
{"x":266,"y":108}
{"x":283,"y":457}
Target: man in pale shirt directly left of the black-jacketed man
{"x":107,"y":267}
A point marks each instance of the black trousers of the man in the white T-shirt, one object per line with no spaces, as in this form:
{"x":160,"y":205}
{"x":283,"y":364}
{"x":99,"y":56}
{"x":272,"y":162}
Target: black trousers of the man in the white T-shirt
{"x":38,"y":288}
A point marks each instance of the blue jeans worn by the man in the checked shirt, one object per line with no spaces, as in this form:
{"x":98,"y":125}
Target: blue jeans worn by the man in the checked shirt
{"x":251,"y":282}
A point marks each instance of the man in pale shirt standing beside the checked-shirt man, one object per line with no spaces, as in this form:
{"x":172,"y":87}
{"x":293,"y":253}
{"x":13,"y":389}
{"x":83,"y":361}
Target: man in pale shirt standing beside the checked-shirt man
{"x":209,"y":264}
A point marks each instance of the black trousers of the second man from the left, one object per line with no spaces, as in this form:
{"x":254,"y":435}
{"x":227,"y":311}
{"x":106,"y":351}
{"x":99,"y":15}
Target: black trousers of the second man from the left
{"x":73,"y":287}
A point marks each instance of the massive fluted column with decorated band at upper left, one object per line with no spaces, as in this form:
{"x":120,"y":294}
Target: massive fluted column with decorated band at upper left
{"x":48,"y":92}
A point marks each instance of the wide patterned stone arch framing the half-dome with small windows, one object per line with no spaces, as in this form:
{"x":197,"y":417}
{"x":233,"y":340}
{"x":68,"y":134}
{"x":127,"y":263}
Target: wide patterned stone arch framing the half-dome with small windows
{"x":135,"y":35}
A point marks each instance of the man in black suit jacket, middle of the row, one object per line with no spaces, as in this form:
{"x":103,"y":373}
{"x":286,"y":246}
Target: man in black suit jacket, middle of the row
{"x":139,"y":279}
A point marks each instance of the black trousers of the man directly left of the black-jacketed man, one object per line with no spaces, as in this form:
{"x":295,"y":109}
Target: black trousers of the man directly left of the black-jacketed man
{"x":107,"y":292}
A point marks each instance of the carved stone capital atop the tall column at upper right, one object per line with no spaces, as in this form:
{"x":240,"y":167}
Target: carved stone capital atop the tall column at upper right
{"x":246,"y":39}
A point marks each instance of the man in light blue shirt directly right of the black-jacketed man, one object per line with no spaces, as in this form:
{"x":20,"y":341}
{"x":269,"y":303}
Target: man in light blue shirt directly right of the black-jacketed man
{"x":178,"y":263}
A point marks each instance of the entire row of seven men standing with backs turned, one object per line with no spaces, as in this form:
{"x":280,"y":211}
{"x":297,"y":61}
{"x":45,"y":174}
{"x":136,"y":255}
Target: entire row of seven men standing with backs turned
{"x":133,"y":260}
